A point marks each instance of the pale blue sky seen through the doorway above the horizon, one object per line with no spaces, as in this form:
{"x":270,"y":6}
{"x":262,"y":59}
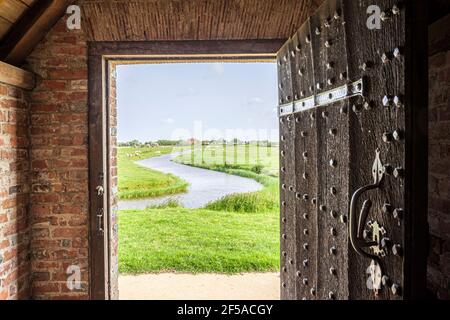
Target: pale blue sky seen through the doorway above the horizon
{"x":200,"y":100}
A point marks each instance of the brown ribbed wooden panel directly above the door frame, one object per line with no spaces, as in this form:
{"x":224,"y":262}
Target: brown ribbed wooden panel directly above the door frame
{"x":146,"y":20}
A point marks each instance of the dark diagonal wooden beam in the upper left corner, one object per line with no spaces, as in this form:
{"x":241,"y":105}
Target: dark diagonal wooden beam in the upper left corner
{"x":31,"y":29}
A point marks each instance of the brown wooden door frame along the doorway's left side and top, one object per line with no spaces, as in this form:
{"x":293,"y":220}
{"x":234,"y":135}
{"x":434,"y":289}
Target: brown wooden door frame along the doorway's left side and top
{"x":102,"y":57}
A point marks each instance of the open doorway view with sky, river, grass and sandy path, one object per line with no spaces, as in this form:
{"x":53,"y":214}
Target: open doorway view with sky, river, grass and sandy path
{"x":198,"y":209}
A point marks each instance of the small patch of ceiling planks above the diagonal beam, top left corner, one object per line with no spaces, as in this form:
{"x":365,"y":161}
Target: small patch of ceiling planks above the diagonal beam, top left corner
{"x":10,"y":12}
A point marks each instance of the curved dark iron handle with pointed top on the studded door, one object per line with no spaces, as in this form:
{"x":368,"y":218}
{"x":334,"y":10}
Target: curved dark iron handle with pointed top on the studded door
{"x":356,"y":225}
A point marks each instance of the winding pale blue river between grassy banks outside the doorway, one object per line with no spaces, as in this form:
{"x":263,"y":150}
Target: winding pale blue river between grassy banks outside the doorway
{"x":205,"y":185}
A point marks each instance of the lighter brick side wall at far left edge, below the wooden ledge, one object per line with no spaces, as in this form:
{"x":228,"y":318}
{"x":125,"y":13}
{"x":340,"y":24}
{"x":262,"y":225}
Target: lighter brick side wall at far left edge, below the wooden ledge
{"x":14,"y":194}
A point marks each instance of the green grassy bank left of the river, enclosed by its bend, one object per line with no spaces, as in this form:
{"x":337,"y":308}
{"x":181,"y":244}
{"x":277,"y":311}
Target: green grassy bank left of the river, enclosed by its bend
{"x":136,"y":181}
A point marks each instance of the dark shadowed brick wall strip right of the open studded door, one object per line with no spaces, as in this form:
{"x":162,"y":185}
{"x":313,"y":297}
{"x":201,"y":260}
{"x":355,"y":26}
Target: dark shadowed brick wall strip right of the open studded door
{"x":439,"y":167}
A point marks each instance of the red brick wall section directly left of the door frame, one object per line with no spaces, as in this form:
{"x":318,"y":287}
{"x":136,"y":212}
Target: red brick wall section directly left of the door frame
{"x":59,"y":164}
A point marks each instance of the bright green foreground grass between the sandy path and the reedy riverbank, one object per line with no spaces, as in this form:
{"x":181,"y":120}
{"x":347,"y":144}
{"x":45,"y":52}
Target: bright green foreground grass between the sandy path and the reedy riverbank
{"x":197,"y":241}
